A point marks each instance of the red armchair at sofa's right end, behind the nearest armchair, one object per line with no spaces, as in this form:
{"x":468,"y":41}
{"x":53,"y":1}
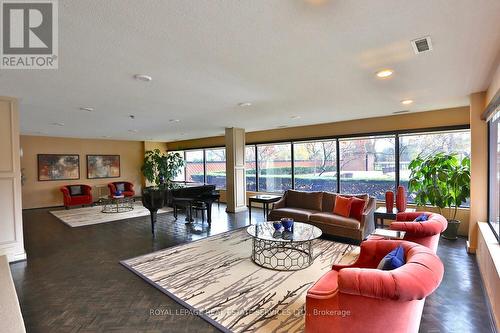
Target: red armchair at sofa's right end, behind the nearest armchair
{"x":425,"y":233}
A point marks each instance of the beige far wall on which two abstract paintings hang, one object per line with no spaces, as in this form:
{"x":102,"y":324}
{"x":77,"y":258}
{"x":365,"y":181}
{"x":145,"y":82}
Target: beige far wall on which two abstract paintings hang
{"x":46,"y":193}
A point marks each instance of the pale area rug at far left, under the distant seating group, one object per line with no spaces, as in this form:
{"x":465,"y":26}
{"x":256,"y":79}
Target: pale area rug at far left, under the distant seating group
{"x":79,"y":217}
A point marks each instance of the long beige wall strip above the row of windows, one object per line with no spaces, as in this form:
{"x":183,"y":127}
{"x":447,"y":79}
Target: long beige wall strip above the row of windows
{"x":438,"y":118}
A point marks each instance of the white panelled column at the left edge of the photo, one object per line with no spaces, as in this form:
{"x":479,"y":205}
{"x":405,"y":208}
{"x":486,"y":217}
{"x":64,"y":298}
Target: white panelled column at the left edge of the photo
{"x":11,"y":224}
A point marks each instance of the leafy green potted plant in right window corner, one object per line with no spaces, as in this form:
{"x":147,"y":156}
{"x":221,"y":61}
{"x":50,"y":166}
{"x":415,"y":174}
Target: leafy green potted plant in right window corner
{"x":441,"y":180}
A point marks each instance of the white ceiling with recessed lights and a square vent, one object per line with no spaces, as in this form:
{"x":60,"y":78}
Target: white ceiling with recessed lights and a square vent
{"x":287,"y":57}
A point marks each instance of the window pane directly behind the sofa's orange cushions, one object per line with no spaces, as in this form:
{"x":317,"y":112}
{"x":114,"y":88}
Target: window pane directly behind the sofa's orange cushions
{"x":367,"y":165}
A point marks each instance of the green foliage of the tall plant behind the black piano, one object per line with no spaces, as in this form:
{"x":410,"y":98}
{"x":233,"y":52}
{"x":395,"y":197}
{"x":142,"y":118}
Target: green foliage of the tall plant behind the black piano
{"x":161,"y":168}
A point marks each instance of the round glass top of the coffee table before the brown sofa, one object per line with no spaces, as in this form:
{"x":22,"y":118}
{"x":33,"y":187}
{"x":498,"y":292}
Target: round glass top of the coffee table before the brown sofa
{"x":301,"y":232}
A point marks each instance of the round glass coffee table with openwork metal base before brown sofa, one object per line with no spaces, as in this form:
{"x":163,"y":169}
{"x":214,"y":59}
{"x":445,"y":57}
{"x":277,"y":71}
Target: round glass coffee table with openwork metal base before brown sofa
{"x":283,"y":250}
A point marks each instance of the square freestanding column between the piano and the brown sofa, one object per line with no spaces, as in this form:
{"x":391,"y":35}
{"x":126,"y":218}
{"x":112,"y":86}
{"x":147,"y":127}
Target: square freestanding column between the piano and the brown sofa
{"x":235,"y":170}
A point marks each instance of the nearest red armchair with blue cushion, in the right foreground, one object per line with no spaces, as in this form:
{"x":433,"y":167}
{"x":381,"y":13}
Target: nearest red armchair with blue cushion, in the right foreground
{"x":361,"y":298}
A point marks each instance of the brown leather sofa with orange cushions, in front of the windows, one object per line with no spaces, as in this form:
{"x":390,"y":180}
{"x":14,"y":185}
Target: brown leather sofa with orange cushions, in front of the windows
{"x":316,"y":208}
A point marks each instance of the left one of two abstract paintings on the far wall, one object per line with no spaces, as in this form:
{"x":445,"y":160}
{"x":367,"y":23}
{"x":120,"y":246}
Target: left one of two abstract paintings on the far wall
{"x":58,"y":167}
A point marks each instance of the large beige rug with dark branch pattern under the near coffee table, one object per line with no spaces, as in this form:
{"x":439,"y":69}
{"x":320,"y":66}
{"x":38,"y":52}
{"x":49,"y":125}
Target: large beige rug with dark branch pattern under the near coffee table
{"x":216,"y":279}
